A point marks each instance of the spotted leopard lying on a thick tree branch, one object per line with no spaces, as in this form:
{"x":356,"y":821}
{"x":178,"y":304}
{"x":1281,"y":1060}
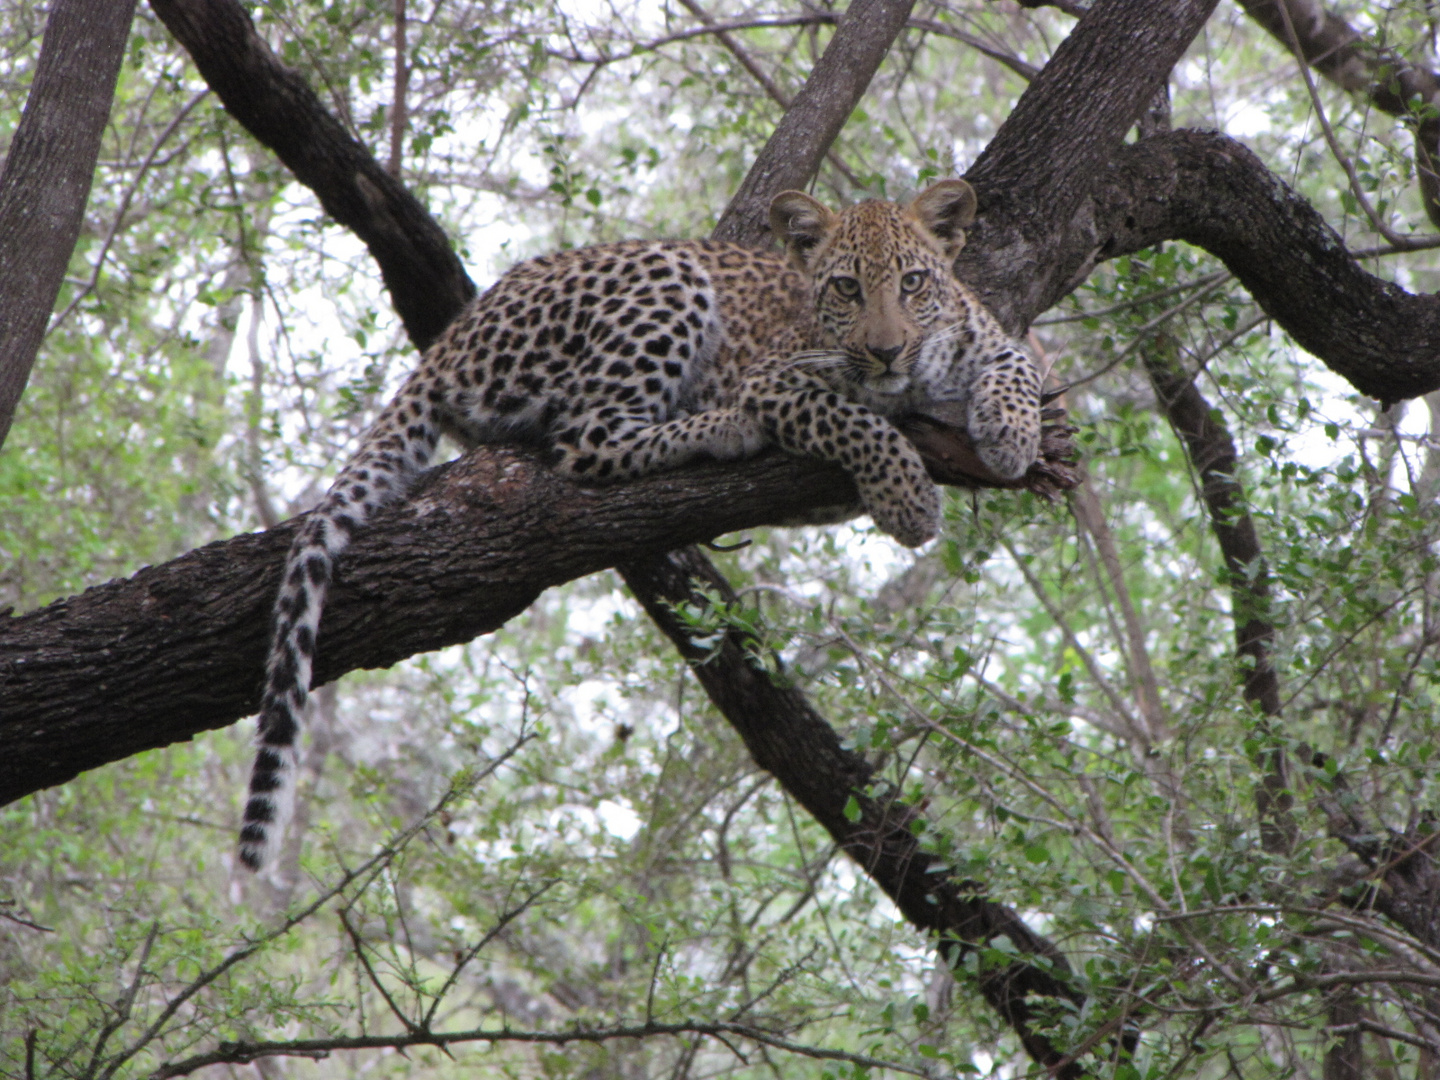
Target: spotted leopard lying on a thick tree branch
{"x":630,"y":358}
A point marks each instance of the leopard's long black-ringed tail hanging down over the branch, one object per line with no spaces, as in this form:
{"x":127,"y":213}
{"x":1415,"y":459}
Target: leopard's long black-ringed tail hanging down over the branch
{"x":394,"y":451}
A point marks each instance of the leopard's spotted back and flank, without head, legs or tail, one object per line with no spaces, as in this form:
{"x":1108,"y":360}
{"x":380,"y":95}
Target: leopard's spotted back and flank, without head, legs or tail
{"x":653,"y":329}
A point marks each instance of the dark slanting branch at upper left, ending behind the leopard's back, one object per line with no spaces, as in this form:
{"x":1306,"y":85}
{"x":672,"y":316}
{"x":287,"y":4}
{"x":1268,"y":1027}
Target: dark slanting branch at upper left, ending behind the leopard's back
{"x":276,"y":104}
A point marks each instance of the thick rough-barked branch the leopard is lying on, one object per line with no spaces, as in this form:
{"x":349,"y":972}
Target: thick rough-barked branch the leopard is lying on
{"x":179,"y":649}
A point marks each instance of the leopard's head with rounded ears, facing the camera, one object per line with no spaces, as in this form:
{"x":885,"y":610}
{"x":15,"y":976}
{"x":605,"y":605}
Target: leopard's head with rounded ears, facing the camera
{"x":882,"y":276}
